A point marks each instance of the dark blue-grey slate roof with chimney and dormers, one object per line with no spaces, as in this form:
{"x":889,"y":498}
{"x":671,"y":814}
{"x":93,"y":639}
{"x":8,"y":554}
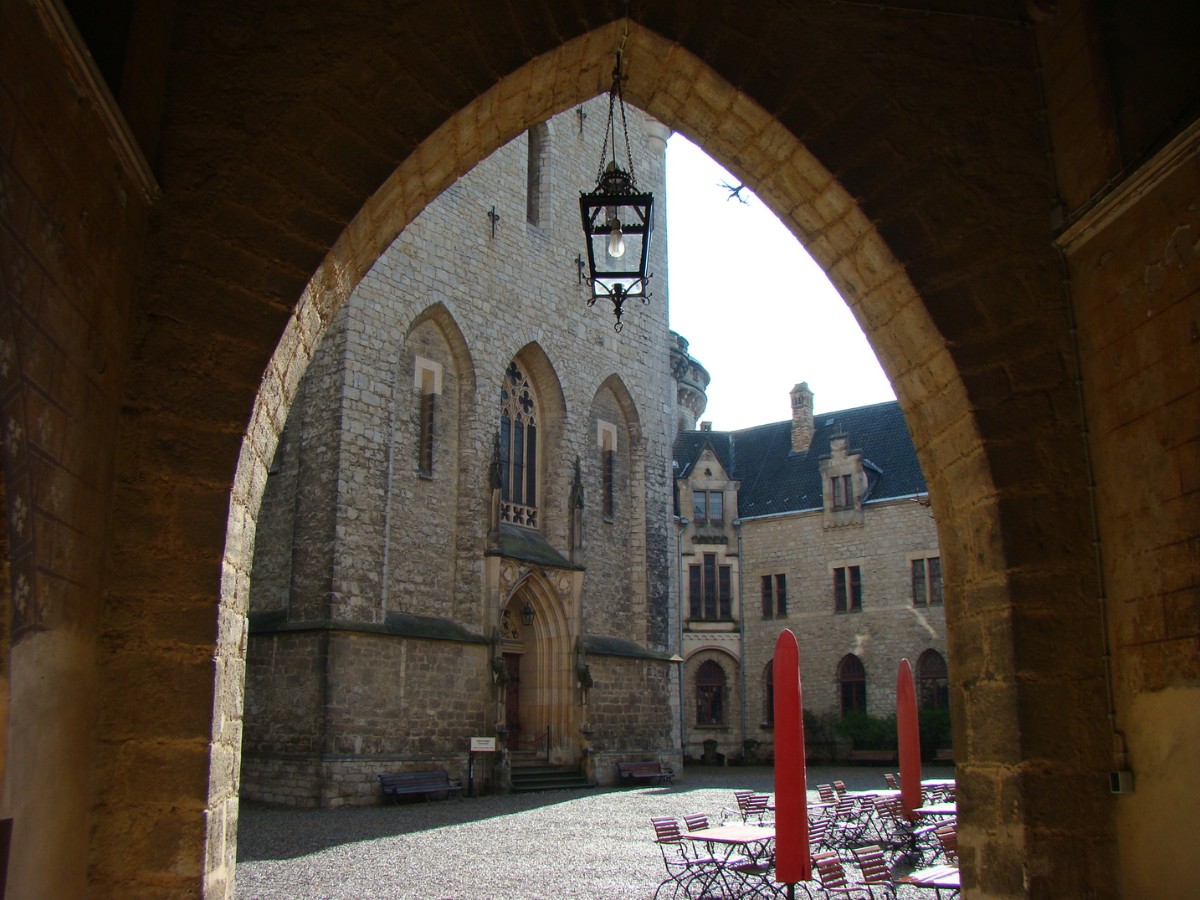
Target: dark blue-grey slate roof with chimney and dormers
{"x":776,"y":481}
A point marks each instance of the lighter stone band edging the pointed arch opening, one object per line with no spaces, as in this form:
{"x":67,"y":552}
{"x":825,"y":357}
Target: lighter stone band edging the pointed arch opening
{"x":679,"y":89}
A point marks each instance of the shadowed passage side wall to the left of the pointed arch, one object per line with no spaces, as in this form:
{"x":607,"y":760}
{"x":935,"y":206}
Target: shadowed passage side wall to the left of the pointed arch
{"x":74,"y":214}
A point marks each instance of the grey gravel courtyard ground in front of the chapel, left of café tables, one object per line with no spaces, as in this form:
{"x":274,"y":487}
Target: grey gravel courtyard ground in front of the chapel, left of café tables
{"x":562,"y":844}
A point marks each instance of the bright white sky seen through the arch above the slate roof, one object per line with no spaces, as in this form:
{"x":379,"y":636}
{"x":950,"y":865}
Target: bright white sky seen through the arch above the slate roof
{"x":771,"y":323}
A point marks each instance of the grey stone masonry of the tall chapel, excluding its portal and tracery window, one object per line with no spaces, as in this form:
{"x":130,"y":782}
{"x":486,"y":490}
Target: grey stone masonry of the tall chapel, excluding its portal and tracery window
{"x":353,"y":532}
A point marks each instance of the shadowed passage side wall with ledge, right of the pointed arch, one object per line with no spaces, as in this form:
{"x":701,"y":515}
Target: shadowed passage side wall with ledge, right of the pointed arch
{"x":1137,"y":291}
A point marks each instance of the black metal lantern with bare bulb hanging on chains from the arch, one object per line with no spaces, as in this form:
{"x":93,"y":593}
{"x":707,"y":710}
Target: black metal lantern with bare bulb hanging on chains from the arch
{"x":619,"y":220}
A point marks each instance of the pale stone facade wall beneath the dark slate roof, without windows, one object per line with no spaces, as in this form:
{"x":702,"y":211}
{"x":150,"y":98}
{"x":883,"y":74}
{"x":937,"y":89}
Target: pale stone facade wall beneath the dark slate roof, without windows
{"x":801,"y":547}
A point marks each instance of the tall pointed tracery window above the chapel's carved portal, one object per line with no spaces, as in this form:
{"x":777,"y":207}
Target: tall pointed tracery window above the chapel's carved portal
{"x":519,"y":449}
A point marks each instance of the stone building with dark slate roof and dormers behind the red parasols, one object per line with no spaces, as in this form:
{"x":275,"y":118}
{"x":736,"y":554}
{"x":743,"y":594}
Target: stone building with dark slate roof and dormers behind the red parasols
{"x":821,"y":525}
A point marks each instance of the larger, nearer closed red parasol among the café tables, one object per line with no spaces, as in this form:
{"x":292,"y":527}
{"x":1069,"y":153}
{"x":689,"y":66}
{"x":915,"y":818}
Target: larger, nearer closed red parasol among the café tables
{"x":794,"y":860}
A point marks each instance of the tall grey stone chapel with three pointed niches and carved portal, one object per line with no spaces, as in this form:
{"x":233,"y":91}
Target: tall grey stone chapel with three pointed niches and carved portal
{"x":465,"y":531}
